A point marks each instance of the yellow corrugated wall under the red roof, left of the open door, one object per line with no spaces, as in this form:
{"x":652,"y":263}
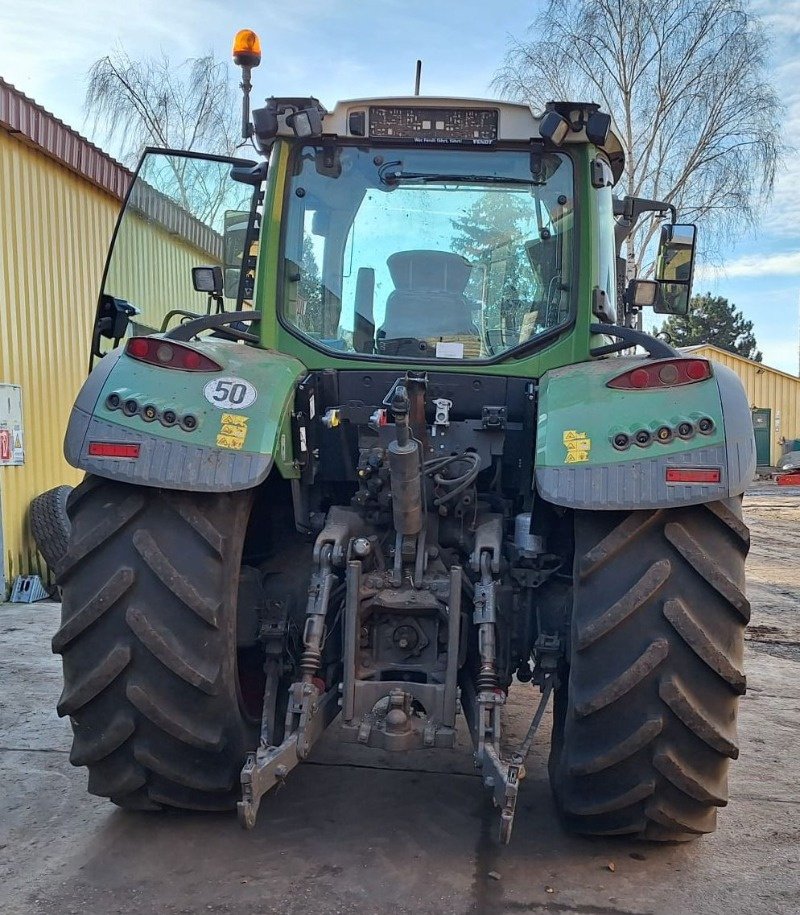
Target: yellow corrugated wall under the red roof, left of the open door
{"x":54,"y":232}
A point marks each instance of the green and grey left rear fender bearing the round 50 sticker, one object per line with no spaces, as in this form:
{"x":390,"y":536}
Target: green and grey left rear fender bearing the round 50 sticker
{"x":230,"y":426}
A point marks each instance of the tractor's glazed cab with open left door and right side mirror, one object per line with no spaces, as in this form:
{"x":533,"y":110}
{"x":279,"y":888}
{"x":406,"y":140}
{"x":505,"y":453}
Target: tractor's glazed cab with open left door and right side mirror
{"x":439,"y":231}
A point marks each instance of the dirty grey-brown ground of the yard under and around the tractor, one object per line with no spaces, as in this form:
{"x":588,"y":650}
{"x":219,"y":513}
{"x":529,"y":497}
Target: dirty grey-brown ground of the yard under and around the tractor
{"x":347,"y":836}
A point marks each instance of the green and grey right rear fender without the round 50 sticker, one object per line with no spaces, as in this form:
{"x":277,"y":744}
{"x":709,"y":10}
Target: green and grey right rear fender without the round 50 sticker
{"x":578,"y":466}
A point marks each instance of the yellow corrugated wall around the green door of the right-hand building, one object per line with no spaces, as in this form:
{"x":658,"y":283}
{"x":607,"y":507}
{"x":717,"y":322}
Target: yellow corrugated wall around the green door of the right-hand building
{"x":766,"y":388}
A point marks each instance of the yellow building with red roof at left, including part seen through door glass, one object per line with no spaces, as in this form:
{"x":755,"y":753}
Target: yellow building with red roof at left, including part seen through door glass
{"x":59,"y":200}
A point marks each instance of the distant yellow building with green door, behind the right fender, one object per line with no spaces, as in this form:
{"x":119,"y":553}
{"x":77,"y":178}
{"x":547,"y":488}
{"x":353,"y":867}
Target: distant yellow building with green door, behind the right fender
{"x":774,"y":398}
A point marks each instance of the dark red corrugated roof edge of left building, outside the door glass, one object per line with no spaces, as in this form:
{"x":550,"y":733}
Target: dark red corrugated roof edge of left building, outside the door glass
{"x":21,"y":115}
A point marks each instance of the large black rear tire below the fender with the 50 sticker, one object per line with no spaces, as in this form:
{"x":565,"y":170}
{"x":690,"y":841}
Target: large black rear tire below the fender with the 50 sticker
{"x":149,"y":644}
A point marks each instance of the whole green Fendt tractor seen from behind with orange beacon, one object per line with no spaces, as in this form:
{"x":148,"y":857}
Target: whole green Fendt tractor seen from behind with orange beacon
{"x":374,"y":433}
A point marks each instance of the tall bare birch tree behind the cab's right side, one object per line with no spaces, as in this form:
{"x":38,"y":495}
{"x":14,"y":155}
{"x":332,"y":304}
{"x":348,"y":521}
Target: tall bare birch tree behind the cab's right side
{"x":686,"y":83}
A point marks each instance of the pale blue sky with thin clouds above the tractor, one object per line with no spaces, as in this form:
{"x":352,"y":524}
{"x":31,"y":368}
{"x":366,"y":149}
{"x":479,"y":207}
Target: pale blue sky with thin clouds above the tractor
{"x":354,"y":48}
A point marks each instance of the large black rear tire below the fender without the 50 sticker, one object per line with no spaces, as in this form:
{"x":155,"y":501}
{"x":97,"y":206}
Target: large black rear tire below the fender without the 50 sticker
{"x":645,"y":724}
